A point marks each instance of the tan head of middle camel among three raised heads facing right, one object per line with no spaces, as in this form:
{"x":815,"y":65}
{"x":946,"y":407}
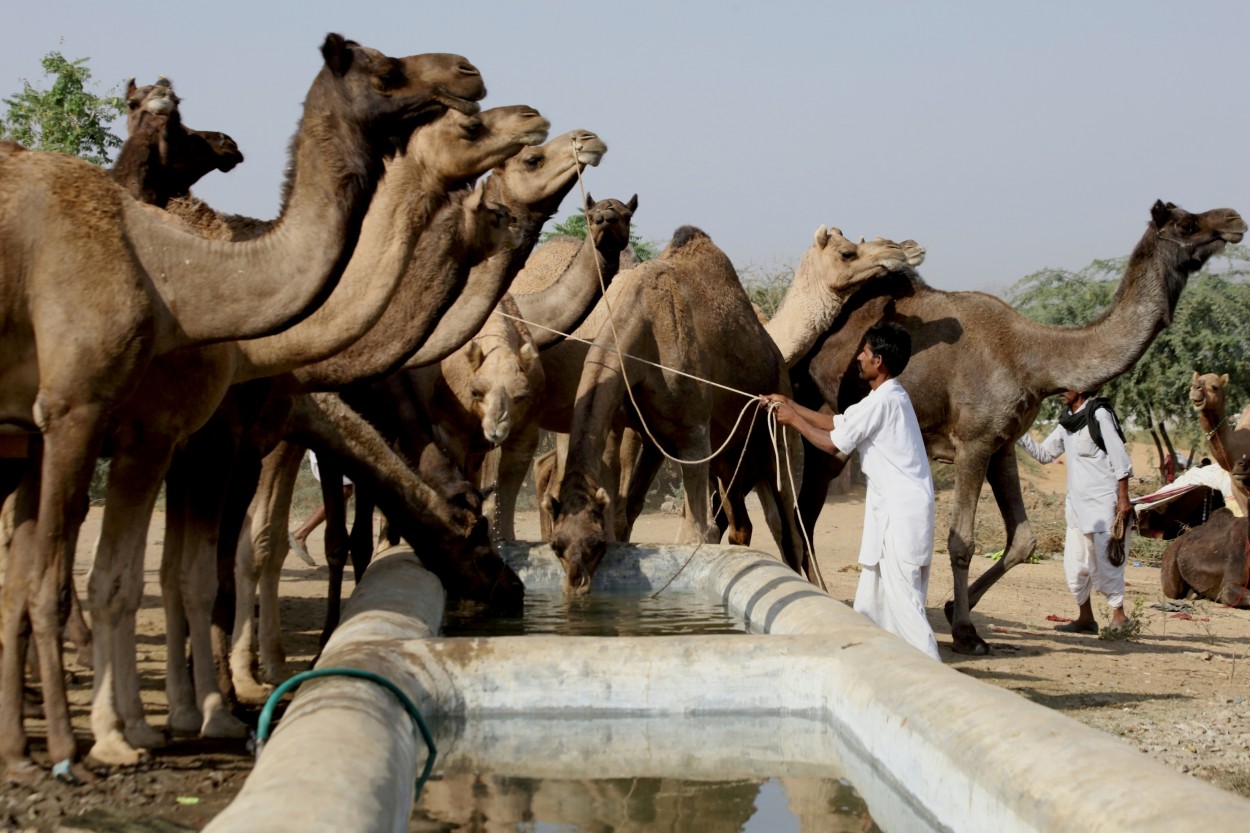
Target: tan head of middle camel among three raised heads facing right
{"x":459,"y":148}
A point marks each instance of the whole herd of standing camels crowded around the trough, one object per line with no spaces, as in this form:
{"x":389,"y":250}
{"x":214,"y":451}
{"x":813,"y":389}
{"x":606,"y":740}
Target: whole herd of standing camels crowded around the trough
{"x":399,"y":320}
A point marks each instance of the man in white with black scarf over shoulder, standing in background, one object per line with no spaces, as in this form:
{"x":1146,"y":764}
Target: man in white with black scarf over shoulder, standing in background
{"x":1098,"y":488}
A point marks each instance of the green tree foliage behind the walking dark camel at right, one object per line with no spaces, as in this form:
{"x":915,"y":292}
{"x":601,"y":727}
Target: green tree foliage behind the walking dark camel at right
{"x":1211,"y":333}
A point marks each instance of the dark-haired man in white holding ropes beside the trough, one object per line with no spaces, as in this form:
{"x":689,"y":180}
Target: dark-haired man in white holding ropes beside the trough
{"x":898,"y":541}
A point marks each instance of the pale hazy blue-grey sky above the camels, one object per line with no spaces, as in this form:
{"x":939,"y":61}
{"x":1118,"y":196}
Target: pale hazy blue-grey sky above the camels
{"x":1004,"y":137}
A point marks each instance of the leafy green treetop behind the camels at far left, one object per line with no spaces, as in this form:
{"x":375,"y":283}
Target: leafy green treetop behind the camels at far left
{"x":67,"y":118}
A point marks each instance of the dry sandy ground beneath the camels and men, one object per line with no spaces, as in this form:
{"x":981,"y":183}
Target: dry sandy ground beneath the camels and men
{"x":1178,"y":691}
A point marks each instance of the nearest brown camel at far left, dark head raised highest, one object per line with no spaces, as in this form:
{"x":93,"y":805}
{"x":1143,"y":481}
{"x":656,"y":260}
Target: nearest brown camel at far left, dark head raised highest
{"x":133,"y":286}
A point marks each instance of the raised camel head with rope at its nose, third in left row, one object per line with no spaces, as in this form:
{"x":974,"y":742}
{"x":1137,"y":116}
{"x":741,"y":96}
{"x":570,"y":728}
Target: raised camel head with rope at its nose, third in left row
{"x":538,"y":179}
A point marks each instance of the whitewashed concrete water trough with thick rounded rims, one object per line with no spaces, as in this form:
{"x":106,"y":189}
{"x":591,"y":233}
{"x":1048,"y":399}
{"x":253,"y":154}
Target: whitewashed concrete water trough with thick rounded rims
{"x":814,"y":689}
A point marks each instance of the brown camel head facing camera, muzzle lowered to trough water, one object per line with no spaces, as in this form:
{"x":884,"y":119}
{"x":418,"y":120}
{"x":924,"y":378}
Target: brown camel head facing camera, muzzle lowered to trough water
{"x":579,"y":537}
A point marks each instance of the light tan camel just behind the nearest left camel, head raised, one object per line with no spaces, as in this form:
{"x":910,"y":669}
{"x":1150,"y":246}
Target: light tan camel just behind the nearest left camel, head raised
{"x":163,"y":415}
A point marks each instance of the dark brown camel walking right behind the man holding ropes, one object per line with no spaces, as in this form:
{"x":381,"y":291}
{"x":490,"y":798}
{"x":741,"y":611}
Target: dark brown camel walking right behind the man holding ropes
{"x":979,"y":372}
